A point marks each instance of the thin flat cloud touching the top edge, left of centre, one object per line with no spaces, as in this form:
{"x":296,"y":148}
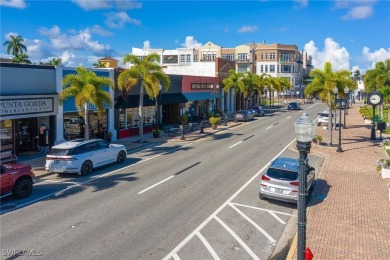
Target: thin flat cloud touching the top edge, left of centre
{"x":89,"y":5}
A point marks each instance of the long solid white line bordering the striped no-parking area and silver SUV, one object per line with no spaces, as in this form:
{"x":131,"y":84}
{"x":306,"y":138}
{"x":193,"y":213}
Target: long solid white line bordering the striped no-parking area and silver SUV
{"x":201,"y":226}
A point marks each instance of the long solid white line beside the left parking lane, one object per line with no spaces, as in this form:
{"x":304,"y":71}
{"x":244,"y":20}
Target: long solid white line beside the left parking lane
{"x":90,"y":180}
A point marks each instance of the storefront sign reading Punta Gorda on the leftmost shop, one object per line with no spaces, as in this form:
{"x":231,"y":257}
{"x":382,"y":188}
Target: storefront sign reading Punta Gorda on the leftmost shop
{"x":26,"y":106}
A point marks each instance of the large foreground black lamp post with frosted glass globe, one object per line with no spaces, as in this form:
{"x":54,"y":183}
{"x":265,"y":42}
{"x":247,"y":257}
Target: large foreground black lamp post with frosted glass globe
{"x":304,"y":132}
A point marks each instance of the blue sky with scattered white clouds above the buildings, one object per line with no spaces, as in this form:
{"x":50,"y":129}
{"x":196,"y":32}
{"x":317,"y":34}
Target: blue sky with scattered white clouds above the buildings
{"x":352,"y":34}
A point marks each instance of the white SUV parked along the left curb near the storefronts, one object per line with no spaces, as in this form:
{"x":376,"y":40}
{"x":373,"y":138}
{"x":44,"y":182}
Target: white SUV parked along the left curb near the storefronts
{"x":82,"y":156}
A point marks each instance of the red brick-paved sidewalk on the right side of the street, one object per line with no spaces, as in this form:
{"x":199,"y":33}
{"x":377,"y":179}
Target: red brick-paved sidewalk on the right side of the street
{"x":349,"y":212}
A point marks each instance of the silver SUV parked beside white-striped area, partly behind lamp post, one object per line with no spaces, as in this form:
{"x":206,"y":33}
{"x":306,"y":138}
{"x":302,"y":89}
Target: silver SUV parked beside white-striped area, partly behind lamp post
{"x":280,"y":181}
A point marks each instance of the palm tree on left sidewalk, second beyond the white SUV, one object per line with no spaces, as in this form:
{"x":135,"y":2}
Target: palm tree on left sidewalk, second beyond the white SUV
{"x":149,"y":73}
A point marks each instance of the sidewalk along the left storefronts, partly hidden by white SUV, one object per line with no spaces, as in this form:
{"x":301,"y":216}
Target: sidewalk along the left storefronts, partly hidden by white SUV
{"x":37,"y":160}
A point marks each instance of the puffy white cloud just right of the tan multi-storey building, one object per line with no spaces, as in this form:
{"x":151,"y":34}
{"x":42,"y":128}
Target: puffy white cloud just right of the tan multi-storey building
{"x":332,"y":52}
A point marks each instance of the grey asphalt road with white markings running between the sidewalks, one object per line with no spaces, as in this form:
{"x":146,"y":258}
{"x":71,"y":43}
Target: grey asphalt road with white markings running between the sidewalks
{"x":192,"y":201}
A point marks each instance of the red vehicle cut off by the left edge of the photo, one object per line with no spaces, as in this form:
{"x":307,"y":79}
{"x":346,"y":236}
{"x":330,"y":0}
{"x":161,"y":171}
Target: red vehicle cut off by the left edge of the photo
{"x":16,"y":179}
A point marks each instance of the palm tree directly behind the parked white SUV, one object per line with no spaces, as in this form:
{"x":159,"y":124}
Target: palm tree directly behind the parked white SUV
{"x":86,"y":87}
